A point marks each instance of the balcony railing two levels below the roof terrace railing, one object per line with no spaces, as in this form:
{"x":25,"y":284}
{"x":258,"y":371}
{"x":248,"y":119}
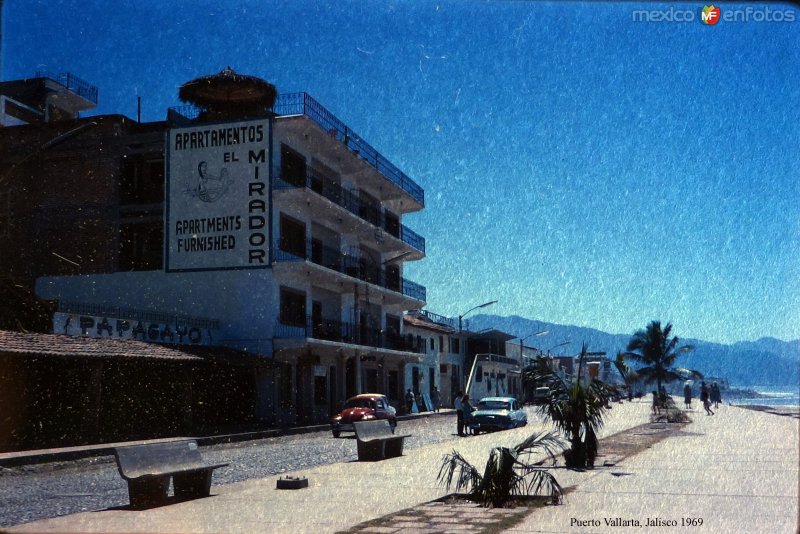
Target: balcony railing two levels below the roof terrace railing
{"x":284,"y":251}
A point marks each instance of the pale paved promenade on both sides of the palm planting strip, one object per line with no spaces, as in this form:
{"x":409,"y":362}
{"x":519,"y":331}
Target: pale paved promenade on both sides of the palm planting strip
{"x":736,"y":471}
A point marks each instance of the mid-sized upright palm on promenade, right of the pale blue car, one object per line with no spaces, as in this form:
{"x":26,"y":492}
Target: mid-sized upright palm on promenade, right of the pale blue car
{"x":577,"y":410}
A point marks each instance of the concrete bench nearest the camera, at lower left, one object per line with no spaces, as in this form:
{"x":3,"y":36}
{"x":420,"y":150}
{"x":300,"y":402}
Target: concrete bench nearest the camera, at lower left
{"x":148,"y":469}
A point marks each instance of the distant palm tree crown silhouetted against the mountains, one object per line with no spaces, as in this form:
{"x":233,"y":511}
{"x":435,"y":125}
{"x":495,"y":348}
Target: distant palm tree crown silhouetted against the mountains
{"x":654,"y":348}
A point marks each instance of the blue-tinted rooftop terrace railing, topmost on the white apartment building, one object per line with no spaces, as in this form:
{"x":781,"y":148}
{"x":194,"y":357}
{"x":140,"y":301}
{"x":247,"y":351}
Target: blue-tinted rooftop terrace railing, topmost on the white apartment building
{"x":303,"y":104}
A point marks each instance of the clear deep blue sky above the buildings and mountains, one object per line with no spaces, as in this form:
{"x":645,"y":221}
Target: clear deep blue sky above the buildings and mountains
{"x":579,"y":167}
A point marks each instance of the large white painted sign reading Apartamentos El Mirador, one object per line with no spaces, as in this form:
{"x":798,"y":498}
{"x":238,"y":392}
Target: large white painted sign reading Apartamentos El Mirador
{"x":217,"y":208}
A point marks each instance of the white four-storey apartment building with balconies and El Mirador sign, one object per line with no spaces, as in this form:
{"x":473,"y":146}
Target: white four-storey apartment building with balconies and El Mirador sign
{"x":319,"y":295}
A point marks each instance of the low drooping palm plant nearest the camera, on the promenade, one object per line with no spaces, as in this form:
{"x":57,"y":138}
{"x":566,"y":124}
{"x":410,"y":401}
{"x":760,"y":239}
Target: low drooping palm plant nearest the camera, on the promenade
{"x":508,"y":473}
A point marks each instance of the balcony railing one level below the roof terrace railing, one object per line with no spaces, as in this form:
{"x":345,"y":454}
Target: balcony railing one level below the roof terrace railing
{"x":350,"y":201}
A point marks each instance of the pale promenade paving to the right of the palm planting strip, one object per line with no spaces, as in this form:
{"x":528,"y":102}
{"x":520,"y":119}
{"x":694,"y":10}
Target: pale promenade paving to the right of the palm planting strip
{"x":737,"y":471}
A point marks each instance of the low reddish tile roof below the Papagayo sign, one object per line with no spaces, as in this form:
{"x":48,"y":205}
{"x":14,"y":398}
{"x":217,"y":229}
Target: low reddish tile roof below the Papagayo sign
{"x":86,"y":347}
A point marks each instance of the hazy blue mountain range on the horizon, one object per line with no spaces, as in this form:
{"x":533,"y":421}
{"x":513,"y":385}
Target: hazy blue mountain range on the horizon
{"x":767,"y":361}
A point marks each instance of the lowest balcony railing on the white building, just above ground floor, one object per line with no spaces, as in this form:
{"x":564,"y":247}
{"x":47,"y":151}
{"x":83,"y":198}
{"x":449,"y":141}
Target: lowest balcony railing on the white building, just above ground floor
{"x":344,"y":332}
